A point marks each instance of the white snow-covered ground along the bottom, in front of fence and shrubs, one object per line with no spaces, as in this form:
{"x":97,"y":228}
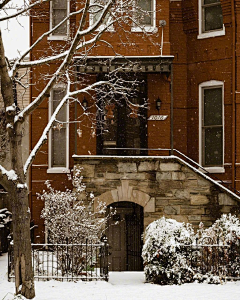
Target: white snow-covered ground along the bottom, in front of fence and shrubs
{"x":121,"y":286}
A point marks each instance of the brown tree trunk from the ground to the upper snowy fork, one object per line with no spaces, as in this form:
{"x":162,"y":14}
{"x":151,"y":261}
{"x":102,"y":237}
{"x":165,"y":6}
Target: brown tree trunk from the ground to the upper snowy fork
{"x":24,"y":277}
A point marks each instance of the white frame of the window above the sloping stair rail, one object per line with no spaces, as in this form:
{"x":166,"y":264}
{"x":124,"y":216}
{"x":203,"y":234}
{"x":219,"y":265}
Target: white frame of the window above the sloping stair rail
{"x":202,"y":86}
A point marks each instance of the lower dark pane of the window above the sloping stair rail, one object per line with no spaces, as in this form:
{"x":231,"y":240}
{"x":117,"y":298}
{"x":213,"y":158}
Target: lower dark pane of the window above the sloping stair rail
{"x":213,"y":147}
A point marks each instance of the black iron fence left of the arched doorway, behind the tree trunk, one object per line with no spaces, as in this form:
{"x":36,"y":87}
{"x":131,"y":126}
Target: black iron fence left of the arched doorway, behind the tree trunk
{"x":66,"y":261}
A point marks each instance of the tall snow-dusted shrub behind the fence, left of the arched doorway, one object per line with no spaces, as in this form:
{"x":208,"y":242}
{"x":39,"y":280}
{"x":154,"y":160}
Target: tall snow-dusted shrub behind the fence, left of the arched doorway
{"x":70,"y":219}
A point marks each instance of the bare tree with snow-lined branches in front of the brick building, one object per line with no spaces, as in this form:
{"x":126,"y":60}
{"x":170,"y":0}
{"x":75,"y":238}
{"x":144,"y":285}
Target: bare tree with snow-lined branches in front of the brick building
{"x":82,"y":38}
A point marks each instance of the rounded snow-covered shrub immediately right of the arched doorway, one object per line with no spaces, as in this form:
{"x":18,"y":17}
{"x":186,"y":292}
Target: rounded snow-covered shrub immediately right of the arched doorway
{"x":164,"y":257}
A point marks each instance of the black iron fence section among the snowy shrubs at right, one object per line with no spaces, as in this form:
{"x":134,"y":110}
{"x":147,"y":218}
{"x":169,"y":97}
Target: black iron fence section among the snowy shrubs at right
{"x":213,"y":257}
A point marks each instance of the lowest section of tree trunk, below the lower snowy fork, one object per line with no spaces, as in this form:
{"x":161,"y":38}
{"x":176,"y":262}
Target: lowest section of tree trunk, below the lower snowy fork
{"x":24,"y":279}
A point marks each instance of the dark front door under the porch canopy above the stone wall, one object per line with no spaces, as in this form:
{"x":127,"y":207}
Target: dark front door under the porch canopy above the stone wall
{"x":121,"y":125}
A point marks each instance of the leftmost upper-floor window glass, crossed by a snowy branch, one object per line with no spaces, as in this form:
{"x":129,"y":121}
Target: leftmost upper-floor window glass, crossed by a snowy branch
{"x":59,"y":11}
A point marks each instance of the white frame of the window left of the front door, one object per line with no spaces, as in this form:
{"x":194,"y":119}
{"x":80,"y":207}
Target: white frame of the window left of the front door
{"x":50,"y":111}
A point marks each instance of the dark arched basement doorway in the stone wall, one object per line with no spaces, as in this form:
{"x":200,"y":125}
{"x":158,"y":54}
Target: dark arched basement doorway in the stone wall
{"x":124,"y":233}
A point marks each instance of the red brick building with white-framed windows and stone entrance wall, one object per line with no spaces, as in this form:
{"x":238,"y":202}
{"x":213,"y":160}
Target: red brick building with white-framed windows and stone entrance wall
{"x":189,"y":61}
